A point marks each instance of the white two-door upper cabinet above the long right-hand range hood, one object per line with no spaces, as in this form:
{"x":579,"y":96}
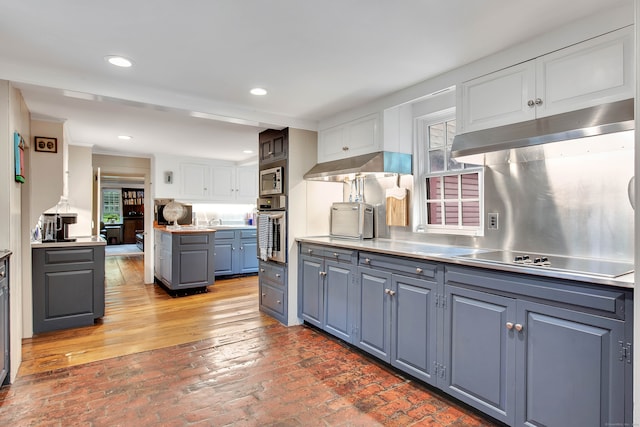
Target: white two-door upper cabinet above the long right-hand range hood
{"x":593,"y":72}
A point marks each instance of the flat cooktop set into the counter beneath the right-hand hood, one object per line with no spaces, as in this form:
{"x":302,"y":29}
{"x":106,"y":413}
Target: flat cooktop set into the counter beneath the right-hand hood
{"x":591,"y":266}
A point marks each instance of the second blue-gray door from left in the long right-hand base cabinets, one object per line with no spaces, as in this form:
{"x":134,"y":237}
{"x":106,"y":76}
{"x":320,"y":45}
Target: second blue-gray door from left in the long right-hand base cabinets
{"x":338,"y":292}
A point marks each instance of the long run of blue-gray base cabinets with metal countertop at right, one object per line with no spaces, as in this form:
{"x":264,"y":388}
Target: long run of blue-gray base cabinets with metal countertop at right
{"x":525,"y":344}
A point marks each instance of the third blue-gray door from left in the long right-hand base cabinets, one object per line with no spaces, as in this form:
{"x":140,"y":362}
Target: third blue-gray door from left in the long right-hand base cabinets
{"x":374,"y":322}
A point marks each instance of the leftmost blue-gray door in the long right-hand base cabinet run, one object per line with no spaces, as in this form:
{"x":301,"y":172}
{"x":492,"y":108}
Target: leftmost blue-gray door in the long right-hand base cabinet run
{"x":312,"y":290}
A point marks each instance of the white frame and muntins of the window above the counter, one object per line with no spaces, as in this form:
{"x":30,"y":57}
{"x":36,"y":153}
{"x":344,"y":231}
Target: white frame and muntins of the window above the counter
{"x":421,"y":124}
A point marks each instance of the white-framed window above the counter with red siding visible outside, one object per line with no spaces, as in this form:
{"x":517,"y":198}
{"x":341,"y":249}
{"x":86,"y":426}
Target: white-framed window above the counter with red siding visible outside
{"x":452,"y":189}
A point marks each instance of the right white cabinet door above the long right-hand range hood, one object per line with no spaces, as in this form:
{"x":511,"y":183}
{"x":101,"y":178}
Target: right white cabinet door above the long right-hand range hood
{"x":594,"y":72}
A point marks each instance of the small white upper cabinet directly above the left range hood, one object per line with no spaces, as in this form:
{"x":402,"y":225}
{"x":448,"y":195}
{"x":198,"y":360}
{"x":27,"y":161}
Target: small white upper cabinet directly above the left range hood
{"x":360,"y":136}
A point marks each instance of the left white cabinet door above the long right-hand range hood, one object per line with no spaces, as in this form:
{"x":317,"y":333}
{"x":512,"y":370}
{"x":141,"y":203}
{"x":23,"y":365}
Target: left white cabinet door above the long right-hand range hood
{"x":497,"y":99}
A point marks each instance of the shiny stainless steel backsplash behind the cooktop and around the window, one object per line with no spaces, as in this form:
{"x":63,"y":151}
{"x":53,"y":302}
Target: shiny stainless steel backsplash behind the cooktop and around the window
{"x":565,"y":199}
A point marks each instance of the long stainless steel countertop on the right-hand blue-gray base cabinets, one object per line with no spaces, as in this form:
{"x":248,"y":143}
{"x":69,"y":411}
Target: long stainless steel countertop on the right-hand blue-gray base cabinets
{"x":453,"y":255}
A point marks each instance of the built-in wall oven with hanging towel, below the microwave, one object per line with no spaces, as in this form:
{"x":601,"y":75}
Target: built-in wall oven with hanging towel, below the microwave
{"x":272,"y":235}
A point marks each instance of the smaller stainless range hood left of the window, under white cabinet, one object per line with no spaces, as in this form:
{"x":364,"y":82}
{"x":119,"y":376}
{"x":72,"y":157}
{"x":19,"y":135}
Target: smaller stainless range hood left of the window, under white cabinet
{"x":382,"y":163}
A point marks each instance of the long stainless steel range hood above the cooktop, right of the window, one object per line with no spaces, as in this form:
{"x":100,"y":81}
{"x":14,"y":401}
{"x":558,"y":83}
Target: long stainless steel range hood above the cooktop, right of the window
{"x":598,"y":120}
